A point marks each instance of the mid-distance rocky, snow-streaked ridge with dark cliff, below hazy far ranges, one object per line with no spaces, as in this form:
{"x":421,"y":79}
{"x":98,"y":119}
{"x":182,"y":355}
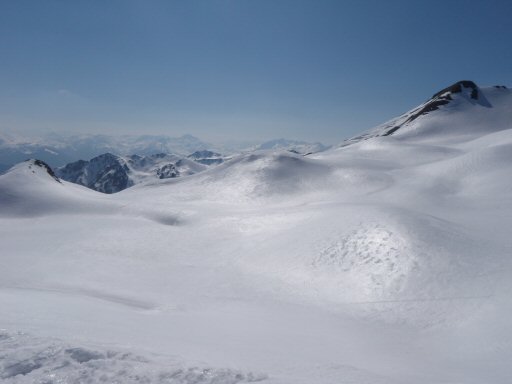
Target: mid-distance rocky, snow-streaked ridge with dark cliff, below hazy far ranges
{"x":109,"y":173}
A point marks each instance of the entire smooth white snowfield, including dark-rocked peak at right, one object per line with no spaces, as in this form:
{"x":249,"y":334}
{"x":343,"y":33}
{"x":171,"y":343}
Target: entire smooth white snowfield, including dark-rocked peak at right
{"x":387,"y":260}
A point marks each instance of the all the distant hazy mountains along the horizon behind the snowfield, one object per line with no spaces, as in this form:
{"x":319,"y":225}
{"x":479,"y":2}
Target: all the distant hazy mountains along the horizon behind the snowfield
{"x":110,"y":164}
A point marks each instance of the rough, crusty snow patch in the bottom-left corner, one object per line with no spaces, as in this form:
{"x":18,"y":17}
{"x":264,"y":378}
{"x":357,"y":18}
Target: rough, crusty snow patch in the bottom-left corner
{"x":27,"y":360}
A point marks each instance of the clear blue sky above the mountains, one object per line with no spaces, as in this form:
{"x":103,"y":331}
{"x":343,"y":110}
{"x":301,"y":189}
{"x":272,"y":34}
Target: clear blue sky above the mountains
{"x":244,"y":69}
